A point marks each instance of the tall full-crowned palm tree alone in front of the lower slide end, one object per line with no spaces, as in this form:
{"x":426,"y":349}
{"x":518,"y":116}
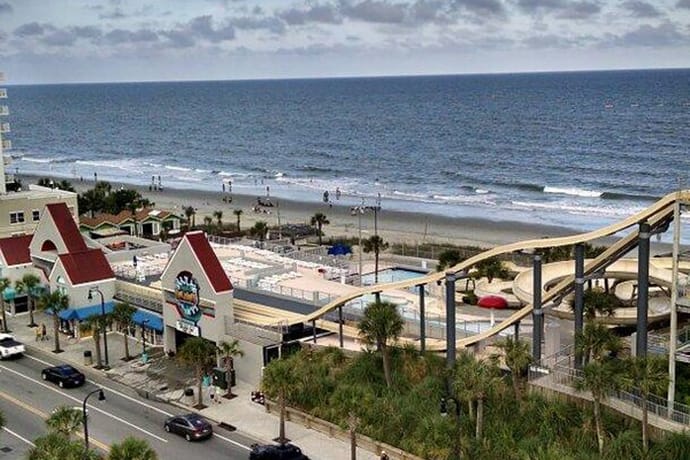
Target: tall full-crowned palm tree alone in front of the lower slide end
{"x":381,"y":323}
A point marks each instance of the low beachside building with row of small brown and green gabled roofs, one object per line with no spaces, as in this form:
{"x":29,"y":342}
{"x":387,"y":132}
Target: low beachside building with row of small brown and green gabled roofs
{"x":145,"y":223}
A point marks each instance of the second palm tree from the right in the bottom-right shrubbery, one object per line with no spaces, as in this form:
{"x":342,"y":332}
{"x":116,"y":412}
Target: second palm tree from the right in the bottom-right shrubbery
{"x":599,"y":378}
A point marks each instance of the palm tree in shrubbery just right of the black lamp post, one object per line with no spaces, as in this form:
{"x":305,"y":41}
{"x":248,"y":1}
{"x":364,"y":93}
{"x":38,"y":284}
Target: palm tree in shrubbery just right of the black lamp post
{"x":474,"y":381}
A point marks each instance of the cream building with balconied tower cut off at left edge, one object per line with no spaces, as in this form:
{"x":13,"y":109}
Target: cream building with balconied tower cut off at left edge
{"x":20,"y":206}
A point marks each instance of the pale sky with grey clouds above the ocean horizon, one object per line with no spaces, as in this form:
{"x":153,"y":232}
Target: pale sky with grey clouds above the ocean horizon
{"x":66,"y":41}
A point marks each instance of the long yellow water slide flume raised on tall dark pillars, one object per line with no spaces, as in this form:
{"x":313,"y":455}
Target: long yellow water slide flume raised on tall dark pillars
{"x":657,"y":215}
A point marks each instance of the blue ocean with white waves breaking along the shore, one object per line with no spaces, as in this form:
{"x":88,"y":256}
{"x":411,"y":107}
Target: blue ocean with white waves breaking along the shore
{"x":577,"y":149}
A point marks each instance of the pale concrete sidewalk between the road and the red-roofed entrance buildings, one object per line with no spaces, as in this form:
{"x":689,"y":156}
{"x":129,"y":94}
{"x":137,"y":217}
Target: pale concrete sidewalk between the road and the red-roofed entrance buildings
{"x":250,"y":418}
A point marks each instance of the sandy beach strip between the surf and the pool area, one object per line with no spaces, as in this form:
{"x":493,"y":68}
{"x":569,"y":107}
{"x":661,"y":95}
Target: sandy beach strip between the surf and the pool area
{"x":394,"y":226}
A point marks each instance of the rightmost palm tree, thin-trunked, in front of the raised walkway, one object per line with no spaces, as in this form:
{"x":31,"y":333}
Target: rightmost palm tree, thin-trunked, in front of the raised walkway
{"x":648,"y":375}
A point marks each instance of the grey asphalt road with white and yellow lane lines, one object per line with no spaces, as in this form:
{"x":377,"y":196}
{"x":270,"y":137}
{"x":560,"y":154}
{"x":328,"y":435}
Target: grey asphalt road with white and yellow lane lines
{"x":26,"y":401}
